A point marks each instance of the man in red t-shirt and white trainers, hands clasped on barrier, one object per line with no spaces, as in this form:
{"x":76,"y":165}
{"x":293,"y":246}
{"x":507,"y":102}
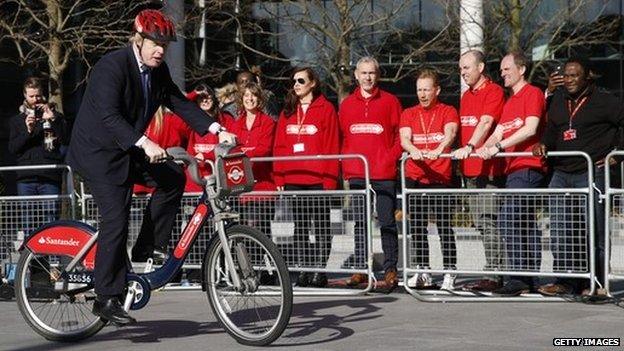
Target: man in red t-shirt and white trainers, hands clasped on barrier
{"x":427,"y":130}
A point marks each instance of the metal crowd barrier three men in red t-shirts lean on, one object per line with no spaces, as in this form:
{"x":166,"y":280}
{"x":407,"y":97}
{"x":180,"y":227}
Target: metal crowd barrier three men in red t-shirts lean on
{"x":458,"y":242}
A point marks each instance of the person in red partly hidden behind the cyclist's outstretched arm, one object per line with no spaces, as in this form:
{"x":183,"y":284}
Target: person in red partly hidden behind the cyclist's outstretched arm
{"x":202,"y":147}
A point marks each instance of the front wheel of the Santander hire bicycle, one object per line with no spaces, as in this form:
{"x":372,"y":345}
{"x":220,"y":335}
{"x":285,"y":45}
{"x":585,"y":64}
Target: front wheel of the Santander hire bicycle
{"x":258,"y":312}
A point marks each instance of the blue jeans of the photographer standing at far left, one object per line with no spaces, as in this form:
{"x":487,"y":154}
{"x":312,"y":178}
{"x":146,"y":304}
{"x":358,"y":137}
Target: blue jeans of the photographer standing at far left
{"x":38,"y":212}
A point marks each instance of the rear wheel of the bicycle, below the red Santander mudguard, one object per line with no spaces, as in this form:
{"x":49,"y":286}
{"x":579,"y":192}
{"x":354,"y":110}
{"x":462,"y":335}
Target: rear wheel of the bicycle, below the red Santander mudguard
{"x":53,"y":307}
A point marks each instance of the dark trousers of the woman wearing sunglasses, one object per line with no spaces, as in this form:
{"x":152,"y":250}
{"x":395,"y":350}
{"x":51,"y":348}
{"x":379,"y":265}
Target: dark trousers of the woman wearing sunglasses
{"x":305,"y":210}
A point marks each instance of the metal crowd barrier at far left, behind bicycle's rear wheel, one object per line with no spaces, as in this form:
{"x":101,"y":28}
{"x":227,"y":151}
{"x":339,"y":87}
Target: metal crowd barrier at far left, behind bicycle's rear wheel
{"x":19,"y":215}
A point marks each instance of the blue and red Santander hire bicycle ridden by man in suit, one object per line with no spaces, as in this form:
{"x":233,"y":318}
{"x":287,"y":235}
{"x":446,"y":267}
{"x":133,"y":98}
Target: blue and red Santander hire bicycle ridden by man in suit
{"x":54,"y":280}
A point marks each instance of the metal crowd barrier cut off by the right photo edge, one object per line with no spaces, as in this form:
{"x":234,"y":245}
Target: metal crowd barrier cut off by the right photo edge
{"x":614,"y":227}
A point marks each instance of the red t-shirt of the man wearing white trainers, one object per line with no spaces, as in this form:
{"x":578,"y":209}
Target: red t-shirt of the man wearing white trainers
{"x":427,"y":127}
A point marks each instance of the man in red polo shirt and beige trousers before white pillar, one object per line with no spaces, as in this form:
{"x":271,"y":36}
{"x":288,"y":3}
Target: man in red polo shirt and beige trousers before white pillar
{"x":480,"y":109}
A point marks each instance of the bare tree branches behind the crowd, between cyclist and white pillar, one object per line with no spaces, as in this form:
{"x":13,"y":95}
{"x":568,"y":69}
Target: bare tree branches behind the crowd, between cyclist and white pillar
{"x":328,"y":35}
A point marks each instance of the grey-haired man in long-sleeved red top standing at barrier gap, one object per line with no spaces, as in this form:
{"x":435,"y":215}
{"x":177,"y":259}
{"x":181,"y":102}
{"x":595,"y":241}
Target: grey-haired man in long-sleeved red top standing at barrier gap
{"x":369,"y":122}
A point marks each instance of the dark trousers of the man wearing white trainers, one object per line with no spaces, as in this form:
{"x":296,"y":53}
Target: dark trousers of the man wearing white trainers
{"x":442,"y":206}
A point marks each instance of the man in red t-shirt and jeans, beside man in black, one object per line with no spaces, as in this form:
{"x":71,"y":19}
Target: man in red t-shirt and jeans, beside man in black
{"x":518,"y":131}
